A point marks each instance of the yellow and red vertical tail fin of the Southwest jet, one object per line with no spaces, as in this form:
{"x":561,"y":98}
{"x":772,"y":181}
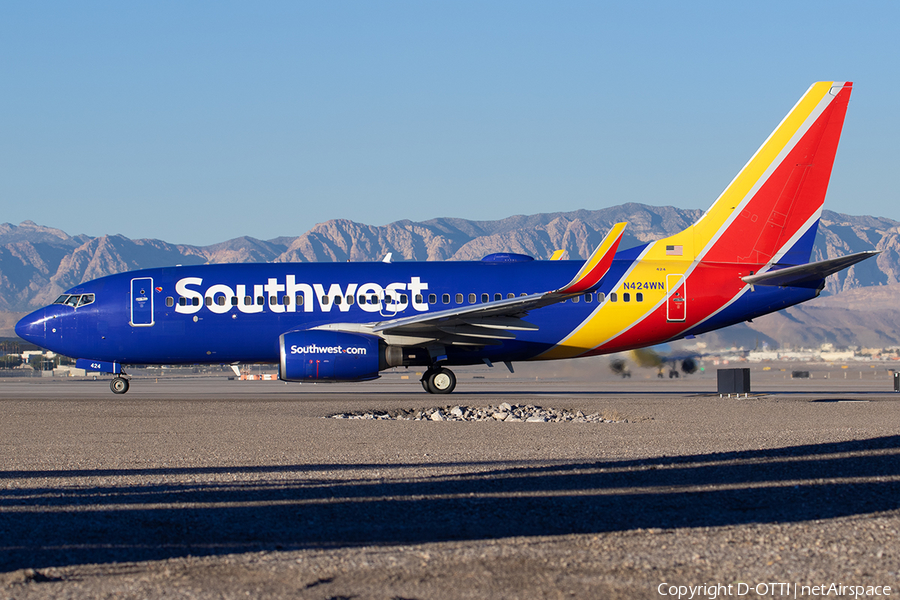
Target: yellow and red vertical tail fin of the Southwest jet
{"x":770,"y":211}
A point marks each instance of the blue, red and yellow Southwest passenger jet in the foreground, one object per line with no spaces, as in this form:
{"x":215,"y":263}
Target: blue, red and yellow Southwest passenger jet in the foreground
{"x":748,"y":255}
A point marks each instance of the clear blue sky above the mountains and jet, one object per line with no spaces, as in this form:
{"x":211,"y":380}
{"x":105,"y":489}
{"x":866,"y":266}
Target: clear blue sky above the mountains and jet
{"x":197,"y":122}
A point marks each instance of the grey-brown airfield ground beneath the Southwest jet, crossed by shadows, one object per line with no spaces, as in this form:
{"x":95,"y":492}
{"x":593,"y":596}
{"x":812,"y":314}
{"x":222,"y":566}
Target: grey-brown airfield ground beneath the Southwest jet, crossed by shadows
{"x":201,"y":487}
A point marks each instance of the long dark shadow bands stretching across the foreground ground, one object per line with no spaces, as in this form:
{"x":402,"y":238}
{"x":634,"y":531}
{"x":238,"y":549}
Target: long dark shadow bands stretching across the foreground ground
{"x":294,"y":507}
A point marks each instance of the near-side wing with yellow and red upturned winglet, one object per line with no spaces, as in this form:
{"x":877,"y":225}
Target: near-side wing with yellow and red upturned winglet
{"x":490,"y":322}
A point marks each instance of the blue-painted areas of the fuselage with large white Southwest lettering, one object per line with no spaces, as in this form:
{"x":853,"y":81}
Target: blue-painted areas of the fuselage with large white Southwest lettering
{"x":236,"y":312}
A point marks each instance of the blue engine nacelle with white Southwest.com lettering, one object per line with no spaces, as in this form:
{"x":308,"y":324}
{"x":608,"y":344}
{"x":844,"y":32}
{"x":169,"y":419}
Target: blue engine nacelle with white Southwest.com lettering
{"x":318,"y":355}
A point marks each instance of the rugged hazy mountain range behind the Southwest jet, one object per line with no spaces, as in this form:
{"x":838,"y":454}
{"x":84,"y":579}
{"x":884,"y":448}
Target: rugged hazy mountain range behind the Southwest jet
{"x":37,"y":263}
